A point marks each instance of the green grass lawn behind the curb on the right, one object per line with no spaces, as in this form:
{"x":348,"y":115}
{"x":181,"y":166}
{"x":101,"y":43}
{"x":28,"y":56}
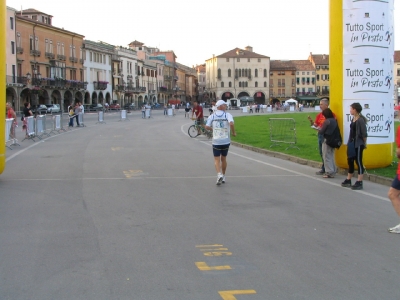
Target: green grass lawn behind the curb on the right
{"x":255,"y":131}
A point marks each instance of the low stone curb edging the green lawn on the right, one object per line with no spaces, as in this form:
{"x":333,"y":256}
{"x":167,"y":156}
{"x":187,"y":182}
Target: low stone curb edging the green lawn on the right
{"x":370,"y":177}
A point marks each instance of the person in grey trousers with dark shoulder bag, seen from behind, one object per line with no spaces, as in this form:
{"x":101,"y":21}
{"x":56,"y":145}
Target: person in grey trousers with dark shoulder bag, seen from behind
{"x":328,"y":152}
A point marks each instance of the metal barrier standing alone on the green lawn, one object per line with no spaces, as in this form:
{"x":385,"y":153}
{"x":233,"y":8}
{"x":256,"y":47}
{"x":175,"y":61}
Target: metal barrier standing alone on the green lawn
{"x":283,"y":130}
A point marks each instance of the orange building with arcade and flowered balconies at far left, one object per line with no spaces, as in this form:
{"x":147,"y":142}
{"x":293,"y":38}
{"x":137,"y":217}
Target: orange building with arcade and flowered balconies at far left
{"x":49,"y":62}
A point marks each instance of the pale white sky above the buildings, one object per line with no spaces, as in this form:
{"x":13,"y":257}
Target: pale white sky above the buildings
{"x":197,"y":30}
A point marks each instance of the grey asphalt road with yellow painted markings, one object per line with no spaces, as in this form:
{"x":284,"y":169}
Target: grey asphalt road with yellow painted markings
{"x":130,"y":210}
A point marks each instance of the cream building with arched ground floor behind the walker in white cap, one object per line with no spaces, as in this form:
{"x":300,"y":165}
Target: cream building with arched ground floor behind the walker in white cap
{"x":238,"y":73}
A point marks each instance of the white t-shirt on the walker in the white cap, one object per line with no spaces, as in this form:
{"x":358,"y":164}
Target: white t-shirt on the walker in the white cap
{"x":220,"y":123}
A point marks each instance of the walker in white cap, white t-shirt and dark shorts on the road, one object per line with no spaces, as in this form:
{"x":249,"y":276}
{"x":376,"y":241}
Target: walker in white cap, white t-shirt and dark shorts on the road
{"x":222,"y":125}
